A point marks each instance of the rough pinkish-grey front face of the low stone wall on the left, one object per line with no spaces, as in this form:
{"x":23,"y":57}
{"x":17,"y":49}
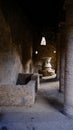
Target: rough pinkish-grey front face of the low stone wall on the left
{"x":18,"y":94}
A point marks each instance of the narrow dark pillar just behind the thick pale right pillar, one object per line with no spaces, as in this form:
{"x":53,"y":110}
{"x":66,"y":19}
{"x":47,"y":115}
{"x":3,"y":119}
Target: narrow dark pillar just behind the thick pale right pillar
{"x":62,"y":57}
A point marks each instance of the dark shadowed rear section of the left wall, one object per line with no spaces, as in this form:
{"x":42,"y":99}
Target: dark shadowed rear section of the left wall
{"x":21,"y":32}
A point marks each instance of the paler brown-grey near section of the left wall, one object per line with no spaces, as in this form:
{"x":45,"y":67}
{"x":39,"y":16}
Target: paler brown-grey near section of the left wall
{"x":10,"y":62}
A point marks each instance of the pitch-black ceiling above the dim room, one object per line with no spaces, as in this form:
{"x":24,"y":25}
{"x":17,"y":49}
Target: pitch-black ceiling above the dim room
{"x":44,"y":12}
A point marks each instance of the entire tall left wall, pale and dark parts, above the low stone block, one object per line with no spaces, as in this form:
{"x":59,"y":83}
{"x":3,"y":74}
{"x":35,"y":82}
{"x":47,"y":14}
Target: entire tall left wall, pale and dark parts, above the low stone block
{"x":15,"y":43}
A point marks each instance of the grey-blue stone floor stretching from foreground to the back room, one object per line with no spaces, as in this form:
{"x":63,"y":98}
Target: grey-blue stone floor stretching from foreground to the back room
{"x":45,"y":114}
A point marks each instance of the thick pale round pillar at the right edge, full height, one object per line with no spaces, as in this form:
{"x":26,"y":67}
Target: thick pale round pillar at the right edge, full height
{"x":68,"y":94}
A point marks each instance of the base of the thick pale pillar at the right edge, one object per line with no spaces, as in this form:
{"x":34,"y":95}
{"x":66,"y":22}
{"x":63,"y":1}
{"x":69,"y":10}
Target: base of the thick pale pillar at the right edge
{"x":68,"y":111}
